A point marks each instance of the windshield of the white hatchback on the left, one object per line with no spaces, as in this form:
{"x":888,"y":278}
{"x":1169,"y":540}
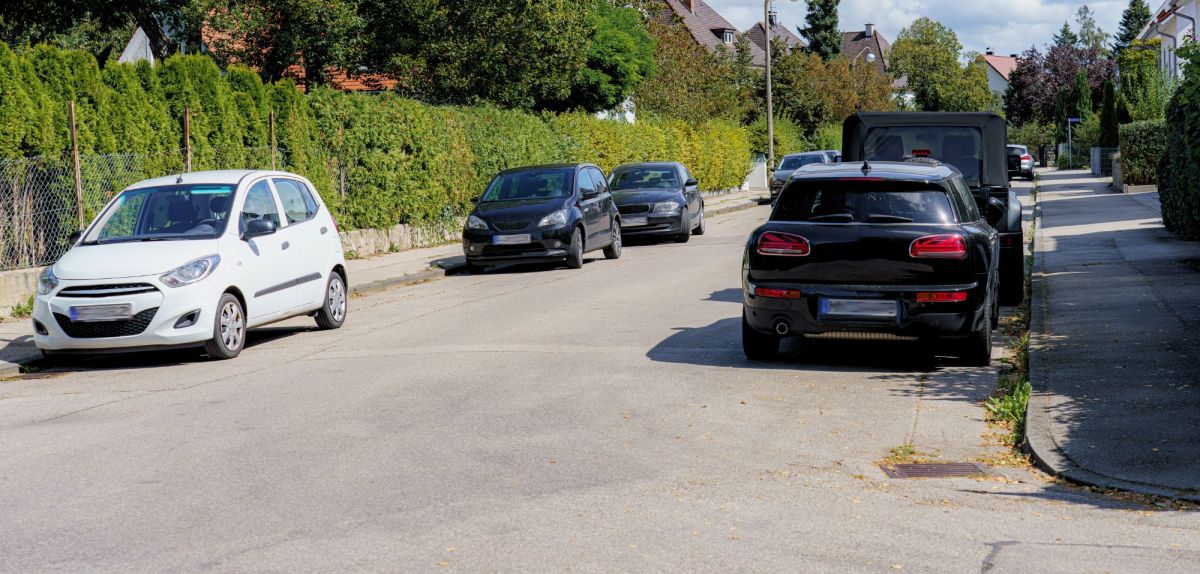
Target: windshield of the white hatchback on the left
{"x":177,"y":212}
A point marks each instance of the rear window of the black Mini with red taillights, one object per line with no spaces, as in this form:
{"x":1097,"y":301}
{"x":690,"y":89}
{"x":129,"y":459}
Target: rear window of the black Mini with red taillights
{"x":865,"y":202}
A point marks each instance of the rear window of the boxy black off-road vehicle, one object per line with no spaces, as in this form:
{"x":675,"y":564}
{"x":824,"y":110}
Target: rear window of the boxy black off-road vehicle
{"x":959,"y":147}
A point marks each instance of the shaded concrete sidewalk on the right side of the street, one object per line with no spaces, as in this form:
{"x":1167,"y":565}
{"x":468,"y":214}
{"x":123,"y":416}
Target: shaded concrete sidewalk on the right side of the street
{"x":1114,"y":328}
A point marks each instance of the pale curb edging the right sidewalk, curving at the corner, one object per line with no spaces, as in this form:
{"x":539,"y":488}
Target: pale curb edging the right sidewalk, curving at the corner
{"x":1040,"y":443}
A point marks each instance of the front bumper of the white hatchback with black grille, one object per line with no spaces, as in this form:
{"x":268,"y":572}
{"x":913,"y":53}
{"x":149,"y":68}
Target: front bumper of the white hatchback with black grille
{"x":157,"y":315}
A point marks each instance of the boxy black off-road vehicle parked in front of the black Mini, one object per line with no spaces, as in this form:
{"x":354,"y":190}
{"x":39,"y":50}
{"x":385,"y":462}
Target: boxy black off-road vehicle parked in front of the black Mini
{"x":975,"y":143}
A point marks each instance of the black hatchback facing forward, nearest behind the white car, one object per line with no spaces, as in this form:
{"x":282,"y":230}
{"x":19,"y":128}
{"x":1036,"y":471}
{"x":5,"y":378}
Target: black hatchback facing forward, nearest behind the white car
{"x":543,"y":214}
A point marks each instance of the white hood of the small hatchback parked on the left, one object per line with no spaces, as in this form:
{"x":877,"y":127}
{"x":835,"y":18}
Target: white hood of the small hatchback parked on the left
{"x":130,"y":260}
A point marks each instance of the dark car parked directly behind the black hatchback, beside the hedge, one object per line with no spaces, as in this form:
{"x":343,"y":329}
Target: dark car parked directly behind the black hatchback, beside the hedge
{"x":661,"y":200}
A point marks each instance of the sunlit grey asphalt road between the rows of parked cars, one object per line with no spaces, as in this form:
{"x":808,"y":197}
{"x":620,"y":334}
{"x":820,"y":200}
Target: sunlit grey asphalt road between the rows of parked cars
{"x":595,"y":421}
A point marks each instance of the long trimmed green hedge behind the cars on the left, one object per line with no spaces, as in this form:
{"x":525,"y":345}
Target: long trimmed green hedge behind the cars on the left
{"x":379,"y":160}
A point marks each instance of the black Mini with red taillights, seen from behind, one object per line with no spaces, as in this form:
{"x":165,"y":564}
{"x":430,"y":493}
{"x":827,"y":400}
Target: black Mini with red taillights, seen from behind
{"x":886,"y":250}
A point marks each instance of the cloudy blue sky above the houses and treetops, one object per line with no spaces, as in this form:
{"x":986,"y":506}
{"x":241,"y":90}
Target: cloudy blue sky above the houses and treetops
{"x":1007,"y":27}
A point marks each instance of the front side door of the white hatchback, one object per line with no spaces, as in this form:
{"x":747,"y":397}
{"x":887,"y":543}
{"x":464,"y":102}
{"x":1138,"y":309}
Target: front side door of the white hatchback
{"x":263,"y":262}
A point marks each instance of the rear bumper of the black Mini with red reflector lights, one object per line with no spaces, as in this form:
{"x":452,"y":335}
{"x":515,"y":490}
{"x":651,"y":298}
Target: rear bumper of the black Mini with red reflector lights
{"x":915,"y":320}
